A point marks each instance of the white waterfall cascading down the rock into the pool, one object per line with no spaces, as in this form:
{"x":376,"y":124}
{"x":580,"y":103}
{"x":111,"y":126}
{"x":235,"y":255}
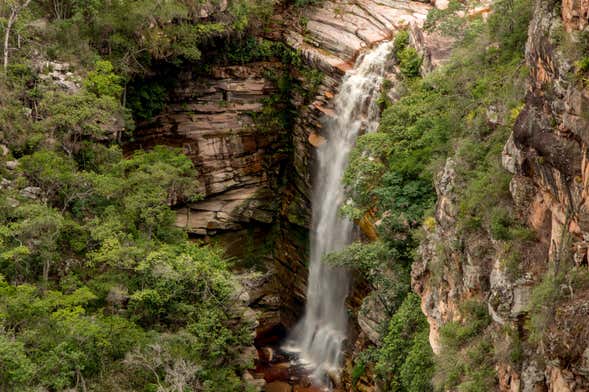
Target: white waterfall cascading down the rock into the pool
{"x":320,"y":334}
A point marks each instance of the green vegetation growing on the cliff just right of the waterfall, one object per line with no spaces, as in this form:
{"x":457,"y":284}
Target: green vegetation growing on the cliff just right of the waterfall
{"x":464,"y":110}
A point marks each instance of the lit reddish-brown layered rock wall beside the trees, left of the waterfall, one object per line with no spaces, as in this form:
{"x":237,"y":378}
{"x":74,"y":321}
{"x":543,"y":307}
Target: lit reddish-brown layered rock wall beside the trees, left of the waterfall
{"x":210,"y":118}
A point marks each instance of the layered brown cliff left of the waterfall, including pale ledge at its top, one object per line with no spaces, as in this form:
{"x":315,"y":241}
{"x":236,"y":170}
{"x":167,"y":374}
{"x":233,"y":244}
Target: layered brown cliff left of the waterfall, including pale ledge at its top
{"x":257,"y":183}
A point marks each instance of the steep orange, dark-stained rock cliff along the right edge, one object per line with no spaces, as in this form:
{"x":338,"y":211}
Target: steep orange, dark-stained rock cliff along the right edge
{"x":549,"y":155}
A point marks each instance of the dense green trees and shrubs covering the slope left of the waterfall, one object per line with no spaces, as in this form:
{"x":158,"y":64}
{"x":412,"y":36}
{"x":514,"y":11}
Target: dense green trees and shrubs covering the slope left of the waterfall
{"x":98,"y":289}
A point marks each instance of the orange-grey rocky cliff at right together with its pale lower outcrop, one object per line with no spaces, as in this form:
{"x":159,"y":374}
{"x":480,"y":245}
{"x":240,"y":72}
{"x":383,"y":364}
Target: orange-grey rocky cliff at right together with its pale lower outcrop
{"x":547,"y":156}
